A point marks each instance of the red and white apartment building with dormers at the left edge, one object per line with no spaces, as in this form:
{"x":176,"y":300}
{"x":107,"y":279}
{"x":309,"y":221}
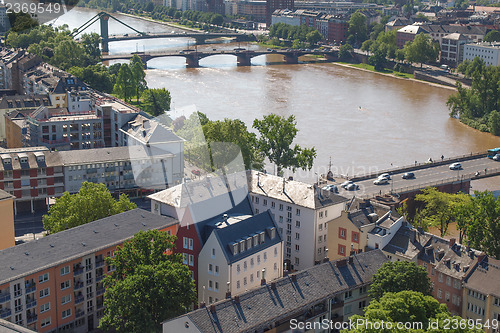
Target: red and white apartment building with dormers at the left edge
{"x":32,"y":175}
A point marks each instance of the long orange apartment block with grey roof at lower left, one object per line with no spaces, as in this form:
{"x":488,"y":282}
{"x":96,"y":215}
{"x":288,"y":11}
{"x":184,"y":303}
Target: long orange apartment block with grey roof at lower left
{"x":54,"y":284}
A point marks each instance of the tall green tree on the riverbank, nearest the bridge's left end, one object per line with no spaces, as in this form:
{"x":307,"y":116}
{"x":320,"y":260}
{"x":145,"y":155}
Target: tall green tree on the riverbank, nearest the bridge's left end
{"x":276,"y":136}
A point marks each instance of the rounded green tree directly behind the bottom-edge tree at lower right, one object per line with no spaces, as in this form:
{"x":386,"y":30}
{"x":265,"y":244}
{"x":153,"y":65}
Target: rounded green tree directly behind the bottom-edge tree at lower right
{"x":398,"y":276}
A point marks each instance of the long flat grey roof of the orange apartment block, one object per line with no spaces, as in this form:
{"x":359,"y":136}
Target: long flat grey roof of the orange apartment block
{"x":31,"y":257}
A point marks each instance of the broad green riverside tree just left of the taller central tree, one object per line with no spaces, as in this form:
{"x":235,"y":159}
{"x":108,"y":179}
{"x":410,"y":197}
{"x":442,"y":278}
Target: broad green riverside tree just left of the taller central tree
{"x":233,"y":131}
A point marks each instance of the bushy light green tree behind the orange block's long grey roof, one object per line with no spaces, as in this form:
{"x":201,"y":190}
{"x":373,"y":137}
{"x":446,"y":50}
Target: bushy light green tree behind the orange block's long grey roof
{"x":92,"y":202}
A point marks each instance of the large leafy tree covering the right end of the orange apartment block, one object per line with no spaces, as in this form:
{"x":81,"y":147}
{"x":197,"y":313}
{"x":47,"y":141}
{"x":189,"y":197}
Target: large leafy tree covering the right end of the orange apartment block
{"x":149,"y":284}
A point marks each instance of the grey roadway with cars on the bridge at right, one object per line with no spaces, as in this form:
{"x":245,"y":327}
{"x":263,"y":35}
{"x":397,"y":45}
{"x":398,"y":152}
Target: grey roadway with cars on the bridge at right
{"x":425,"y":177}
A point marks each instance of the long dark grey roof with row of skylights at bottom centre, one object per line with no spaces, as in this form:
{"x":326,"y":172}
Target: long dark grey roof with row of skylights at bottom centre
{"x":258,"y":308}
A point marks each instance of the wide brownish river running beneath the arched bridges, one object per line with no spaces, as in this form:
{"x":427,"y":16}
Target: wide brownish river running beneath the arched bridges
{"x":361,"y":120}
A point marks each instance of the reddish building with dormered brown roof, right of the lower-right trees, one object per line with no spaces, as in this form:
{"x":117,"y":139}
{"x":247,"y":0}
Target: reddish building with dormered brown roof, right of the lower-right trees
{"x":448,"y":264}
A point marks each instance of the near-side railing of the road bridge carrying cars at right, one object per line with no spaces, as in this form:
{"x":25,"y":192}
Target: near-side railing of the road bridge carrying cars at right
{"x":459,"y":178}
